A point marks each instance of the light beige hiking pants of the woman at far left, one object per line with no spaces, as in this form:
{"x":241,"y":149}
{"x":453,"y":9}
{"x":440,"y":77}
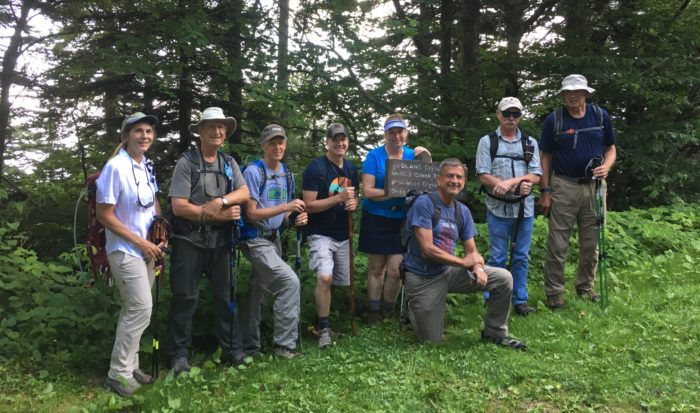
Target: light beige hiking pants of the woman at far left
{"x":134,"y":278}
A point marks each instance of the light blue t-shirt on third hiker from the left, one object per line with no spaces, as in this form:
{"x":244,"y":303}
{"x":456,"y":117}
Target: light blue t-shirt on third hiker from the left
{"x":274,"y":193}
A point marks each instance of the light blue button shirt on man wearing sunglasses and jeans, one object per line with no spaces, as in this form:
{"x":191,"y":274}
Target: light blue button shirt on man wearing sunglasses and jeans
{"x":505,"y":168}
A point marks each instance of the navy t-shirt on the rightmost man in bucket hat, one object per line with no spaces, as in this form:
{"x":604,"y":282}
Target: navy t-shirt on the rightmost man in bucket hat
{"x":570,"y":161}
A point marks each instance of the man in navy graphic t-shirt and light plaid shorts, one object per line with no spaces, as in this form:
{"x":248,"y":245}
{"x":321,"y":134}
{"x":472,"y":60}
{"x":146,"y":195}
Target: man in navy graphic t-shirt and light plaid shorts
{"x":329,"y":192}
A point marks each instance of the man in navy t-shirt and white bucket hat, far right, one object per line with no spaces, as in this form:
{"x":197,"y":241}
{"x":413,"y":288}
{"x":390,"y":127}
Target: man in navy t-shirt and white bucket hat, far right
{"x":577,"y":147}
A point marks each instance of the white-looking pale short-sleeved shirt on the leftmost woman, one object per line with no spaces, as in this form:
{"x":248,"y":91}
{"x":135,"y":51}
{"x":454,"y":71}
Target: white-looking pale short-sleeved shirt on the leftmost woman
{"x":117,"y":186}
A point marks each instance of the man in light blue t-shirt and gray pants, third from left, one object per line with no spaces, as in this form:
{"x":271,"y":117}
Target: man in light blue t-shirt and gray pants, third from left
{"x":269,"y":208}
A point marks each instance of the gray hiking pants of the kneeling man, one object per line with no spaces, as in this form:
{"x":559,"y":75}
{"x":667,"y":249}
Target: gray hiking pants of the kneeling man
{"x":427,"y":295}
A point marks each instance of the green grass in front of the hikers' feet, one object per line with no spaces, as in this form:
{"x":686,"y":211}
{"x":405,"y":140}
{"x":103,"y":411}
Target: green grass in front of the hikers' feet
{"x":640,"y":354}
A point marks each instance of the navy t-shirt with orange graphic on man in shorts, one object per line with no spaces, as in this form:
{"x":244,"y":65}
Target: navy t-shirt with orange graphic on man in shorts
{"x":325,"y":178}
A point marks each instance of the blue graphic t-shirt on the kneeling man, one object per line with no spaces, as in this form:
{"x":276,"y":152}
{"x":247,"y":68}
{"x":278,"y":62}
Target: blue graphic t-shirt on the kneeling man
{"x":444,"y":233}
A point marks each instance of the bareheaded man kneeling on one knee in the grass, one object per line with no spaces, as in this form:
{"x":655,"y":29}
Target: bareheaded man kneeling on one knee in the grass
{"x":436,"y":221}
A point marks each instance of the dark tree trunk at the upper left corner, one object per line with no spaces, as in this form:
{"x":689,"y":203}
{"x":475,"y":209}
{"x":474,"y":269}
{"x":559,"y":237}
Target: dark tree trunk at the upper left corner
{"x":9,"y":63}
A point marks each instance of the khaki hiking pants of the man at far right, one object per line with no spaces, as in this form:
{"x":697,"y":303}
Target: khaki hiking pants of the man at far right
{"x":572,"y":203}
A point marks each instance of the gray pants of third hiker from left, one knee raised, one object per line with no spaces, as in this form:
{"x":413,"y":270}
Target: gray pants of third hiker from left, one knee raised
{"x":271,"y":277}
